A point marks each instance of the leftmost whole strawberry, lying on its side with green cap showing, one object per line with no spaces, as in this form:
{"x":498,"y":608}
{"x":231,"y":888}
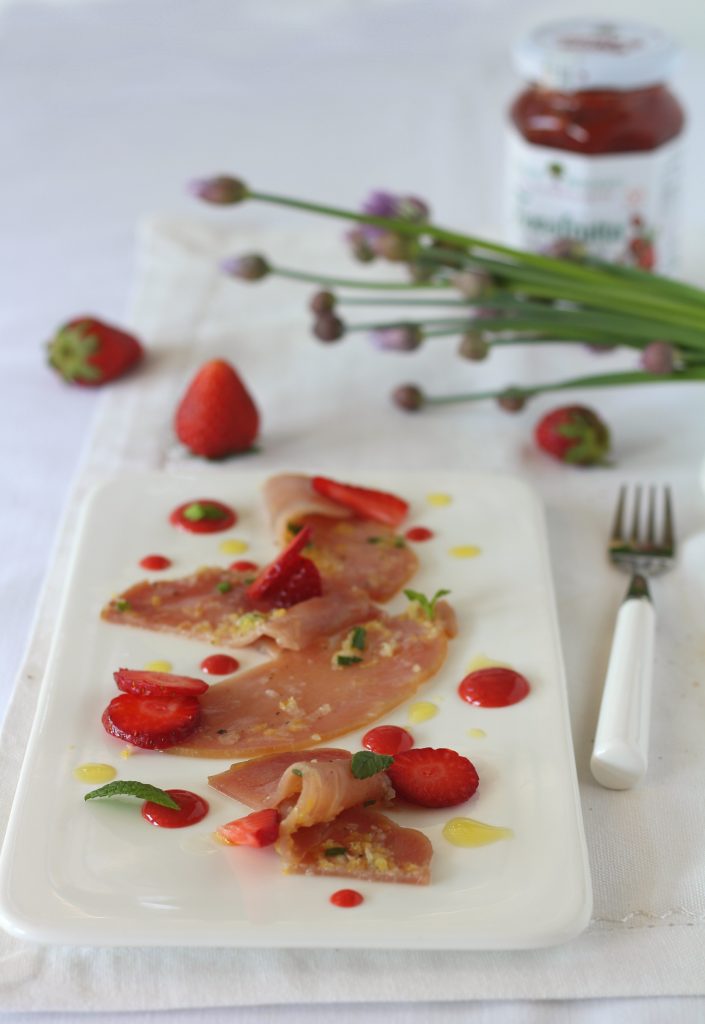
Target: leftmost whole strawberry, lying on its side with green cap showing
{"x":90,"y":353}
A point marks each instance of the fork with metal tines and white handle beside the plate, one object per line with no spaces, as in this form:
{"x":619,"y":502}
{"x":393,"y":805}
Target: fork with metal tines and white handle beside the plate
{"x":642,"y":544}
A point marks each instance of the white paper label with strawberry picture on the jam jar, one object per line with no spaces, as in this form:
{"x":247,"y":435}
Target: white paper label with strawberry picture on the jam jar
{"x":620,"y":207}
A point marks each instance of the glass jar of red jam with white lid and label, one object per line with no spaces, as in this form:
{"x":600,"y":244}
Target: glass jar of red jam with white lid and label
{"x":596,"y":145}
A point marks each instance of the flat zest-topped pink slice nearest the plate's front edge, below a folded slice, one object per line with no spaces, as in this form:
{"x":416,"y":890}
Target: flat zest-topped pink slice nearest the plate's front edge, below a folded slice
{"x":361,"y":844}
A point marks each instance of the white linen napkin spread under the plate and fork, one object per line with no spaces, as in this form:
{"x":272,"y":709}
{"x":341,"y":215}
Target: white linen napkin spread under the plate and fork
{"x":328,"y":406}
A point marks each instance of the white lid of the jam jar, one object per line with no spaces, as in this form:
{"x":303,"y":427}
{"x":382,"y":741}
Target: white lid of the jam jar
{"x":592,"y":54}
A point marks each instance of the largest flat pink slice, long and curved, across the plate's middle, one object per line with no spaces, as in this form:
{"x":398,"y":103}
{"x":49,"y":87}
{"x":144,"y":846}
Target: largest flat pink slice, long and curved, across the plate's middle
{"x":303,"y":698}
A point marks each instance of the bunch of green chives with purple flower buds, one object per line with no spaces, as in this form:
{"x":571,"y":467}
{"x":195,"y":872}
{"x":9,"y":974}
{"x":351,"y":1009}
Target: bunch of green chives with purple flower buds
{"x":490,"y":295}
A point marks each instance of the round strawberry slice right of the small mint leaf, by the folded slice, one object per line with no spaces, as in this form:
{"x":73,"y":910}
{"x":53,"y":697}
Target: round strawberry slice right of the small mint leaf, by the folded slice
{"x":433,"y":778}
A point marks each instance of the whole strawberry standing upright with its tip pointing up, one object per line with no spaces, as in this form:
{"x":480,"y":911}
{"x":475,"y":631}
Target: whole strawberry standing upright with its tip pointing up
{"x":217,"y":416}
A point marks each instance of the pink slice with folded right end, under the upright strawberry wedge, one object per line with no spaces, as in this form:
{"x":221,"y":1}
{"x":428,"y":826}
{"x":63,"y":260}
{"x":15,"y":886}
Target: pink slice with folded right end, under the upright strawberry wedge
{"x":213,"y":606}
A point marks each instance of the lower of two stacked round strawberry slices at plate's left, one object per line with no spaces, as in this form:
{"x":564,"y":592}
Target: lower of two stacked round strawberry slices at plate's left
{"x":152,"y":722}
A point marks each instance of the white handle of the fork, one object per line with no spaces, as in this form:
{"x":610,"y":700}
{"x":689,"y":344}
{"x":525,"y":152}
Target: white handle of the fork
{"x":621,"y":746}
